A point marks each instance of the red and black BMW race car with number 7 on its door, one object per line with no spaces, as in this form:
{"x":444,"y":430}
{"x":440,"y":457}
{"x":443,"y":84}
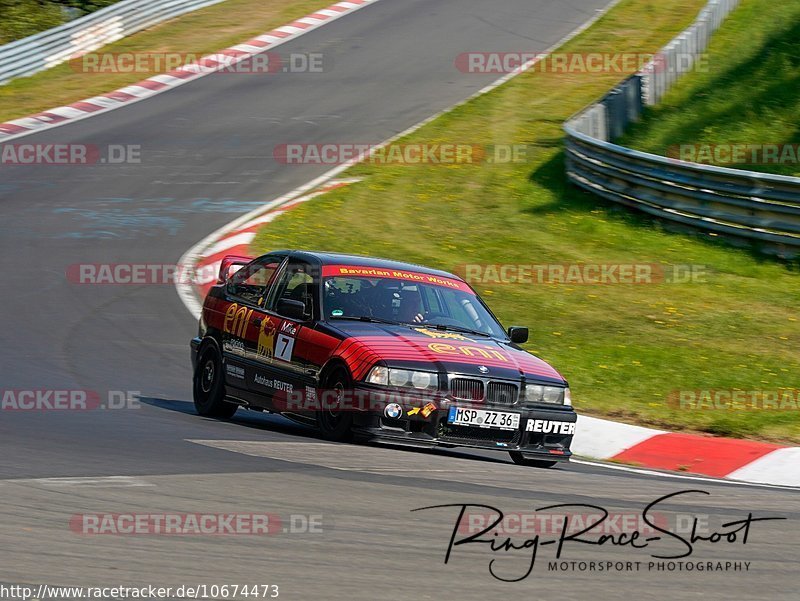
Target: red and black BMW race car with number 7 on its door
{"x":375,"y":349}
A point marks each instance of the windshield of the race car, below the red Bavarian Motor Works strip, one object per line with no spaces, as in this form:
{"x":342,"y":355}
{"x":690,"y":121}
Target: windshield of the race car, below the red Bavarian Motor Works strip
{"x":400,"y":301}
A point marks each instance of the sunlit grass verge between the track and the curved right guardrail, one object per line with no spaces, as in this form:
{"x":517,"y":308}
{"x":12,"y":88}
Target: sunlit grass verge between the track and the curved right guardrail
{"x":623,"y":348}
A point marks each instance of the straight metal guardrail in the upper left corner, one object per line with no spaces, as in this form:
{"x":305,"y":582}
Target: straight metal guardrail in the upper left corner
{"x":86,"y":34}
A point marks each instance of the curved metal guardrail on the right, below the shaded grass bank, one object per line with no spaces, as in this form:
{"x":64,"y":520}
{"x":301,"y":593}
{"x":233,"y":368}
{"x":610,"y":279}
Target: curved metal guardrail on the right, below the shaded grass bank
{"x":746,"y":207}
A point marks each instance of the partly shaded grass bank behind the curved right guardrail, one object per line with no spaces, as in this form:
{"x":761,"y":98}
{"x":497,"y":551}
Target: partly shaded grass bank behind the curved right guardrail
{"x":749,"y":95}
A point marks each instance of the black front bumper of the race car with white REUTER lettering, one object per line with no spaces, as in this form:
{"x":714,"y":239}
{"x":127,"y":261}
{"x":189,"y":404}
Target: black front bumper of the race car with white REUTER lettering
{"x":434,"y":429}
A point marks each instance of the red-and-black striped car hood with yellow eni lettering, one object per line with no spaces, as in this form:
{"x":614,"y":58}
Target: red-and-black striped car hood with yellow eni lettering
{"x":430,"y":349}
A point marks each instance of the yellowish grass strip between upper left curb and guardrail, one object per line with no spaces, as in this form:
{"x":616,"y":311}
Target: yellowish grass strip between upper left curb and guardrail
{"x":198,"y":33}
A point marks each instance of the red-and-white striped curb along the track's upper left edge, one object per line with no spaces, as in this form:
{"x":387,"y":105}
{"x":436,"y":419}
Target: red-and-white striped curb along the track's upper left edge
{"x":160,"y":83}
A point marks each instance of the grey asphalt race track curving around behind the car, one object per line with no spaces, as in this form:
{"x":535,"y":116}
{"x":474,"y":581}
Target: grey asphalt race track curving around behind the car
{"x":207,"y":158}
